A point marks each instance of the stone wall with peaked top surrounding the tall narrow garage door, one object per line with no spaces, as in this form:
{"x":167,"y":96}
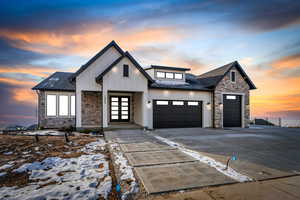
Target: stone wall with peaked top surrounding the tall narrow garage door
{"x":225,"y":85}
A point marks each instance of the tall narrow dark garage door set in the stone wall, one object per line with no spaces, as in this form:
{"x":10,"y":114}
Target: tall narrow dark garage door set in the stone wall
{"x":232,"y":110}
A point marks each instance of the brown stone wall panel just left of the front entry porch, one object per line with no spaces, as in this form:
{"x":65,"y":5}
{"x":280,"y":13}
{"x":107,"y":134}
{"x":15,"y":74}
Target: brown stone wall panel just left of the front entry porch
{"x":91,"y":104}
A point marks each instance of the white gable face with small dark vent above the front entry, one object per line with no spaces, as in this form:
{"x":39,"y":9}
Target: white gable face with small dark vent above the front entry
{"x":114,"y":79}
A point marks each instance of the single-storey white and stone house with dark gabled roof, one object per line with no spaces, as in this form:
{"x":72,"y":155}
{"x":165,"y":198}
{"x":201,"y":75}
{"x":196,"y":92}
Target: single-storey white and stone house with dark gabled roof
{"x":112,"y":88}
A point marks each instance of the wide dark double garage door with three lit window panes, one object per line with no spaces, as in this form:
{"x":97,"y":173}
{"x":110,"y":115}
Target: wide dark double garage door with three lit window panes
{"x":177,"y":114}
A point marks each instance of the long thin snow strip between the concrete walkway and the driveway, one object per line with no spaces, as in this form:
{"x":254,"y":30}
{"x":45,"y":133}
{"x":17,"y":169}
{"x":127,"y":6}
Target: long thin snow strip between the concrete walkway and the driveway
{"x":207,"y":160}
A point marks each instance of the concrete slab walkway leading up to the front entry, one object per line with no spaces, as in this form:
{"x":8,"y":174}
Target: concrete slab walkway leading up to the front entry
{"x":162,"y":168}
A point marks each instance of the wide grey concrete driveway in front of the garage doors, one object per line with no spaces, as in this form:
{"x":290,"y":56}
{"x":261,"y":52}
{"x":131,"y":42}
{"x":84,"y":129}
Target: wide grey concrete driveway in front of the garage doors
{"x":262,"y":152}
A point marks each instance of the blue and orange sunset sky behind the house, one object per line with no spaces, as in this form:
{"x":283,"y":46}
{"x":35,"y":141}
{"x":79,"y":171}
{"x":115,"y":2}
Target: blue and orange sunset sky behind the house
{"x":38,"y":38}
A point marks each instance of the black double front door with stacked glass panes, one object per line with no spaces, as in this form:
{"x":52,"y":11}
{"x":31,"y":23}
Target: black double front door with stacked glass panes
{"x":119,"y":108}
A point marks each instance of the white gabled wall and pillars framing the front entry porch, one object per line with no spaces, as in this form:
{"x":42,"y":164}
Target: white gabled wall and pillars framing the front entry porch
{"x":115,"y":81}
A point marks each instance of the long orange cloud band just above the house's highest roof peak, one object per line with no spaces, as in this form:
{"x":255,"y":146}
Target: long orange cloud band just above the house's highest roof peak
{"x":89,"y":41}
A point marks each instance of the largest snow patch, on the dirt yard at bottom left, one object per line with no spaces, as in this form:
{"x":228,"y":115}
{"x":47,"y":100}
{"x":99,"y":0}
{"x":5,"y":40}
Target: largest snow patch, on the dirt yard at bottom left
{"x":84,"y":177}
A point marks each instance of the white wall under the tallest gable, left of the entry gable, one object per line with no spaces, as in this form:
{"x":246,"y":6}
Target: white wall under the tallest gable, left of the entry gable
{"x":85,"y":81}
